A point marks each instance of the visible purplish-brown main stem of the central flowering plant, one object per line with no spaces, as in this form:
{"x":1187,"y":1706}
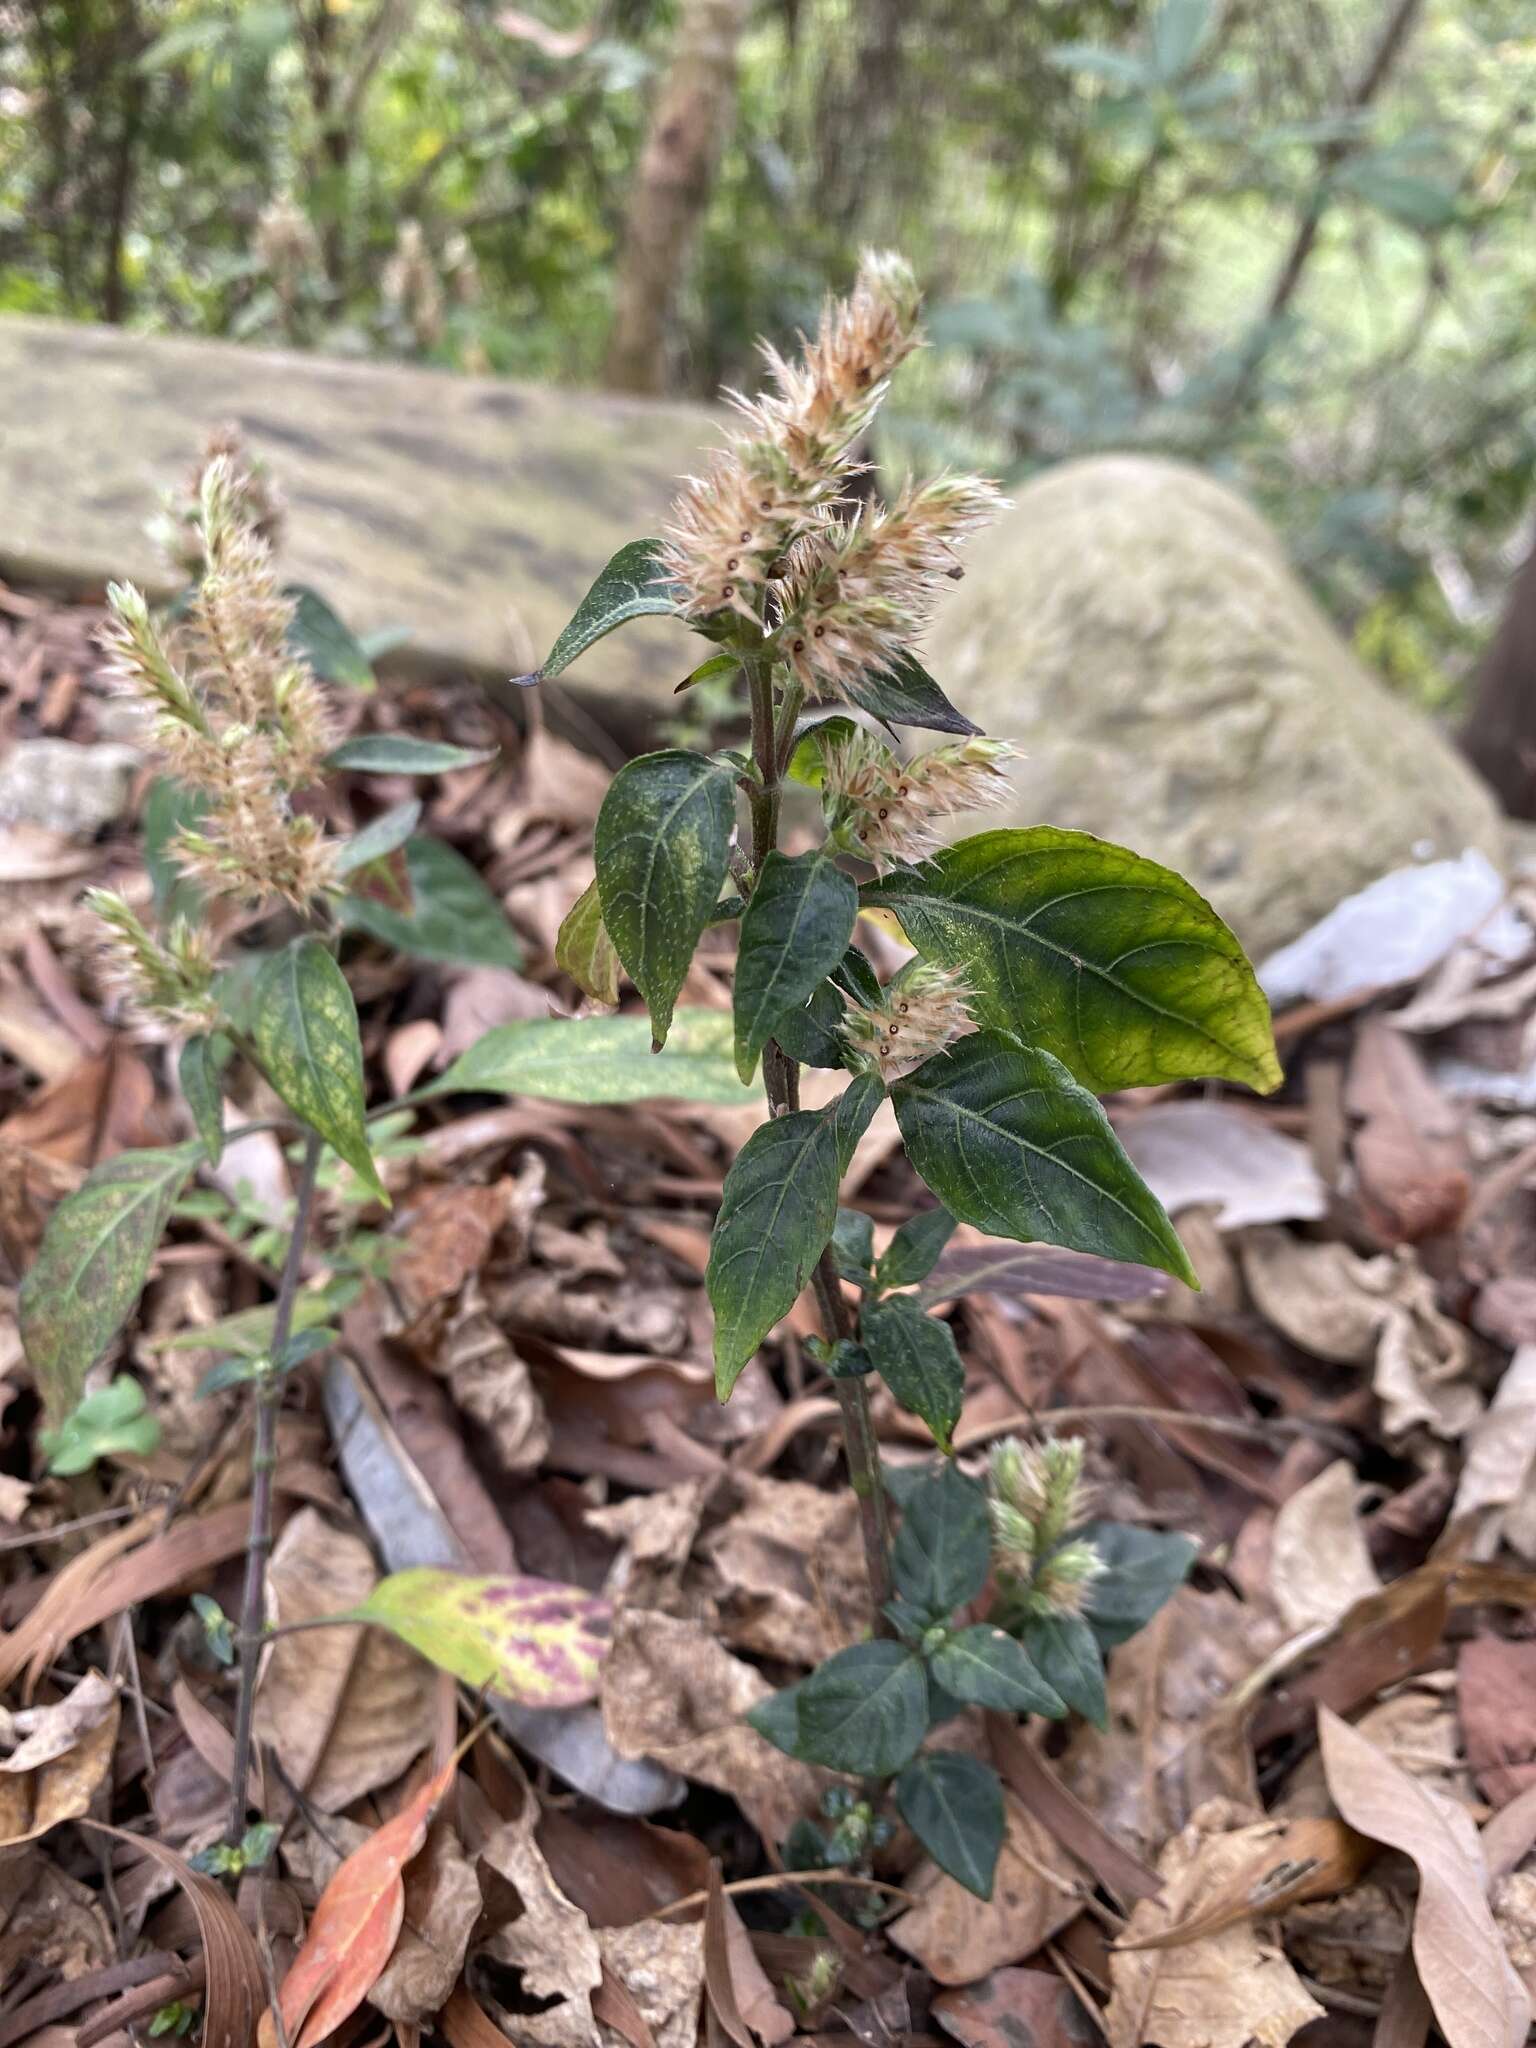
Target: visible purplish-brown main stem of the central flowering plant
{"x":771,"y":746}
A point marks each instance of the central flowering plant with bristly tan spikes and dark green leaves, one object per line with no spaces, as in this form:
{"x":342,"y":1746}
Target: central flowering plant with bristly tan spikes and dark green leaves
{"x":1048,"y":966}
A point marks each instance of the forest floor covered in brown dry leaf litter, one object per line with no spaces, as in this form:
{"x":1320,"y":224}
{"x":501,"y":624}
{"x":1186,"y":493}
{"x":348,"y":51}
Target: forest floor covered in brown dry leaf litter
{"x":1322,"y":1748}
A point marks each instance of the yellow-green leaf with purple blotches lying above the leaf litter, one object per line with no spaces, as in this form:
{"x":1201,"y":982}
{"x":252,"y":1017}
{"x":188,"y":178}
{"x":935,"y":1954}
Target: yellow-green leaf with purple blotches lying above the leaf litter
{"x":527,"y":1639}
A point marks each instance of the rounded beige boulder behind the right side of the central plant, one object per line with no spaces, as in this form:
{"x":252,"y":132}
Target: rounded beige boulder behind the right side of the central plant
{"x":1138,"y":632}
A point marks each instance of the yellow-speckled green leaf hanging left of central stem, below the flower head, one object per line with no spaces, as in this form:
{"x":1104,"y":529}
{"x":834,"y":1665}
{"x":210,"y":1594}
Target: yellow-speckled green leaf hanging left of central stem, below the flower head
{"x":663,"y":841}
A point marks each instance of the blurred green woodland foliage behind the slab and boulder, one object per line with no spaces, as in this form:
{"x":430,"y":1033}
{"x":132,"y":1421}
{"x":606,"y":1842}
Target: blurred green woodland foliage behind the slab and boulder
{"x":1103,"y":198}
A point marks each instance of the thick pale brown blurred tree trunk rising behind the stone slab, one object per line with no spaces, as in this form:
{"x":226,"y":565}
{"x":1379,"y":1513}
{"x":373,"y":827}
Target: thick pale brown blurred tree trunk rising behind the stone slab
{"x":683,"y":151}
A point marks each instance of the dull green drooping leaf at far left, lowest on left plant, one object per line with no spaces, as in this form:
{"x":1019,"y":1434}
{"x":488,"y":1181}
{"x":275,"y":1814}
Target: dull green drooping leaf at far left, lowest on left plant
{"x":93,"y":1263}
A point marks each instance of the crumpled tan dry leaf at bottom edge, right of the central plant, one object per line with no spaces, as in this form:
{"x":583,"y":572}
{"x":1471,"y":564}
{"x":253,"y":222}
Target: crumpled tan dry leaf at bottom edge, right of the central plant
{"x":1222,"y":1990}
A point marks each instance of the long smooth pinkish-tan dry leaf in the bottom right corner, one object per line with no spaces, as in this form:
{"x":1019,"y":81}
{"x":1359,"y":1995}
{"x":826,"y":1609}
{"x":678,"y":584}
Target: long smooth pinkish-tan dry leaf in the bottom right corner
{"x":1467,"y":1977}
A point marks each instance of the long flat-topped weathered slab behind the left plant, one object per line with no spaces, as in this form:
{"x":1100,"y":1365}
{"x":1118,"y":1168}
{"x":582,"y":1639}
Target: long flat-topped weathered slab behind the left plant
{"x":470,"y":511}
